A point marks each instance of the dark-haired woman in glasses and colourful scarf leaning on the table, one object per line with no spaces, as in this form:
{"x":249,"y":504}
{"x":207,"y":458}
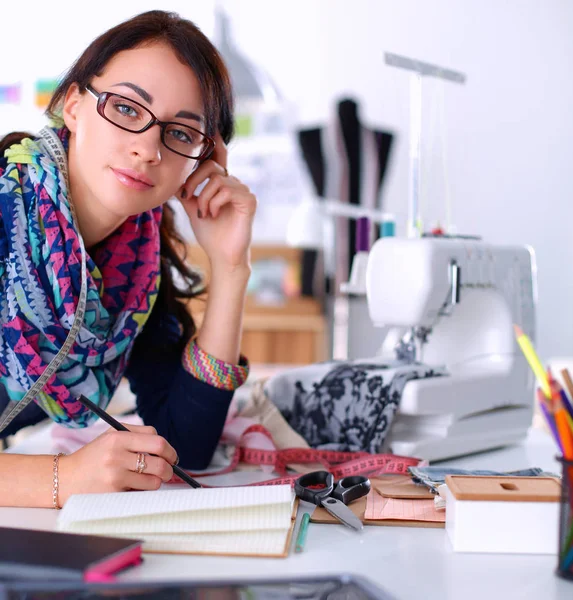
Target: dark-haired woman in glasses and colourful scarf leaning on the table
{"x":142,"y":116}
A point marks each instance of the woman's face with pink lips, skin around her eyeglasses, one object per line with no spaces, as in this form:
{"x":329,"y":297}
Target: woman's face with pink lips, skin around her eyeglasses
{"x":126,"y":173}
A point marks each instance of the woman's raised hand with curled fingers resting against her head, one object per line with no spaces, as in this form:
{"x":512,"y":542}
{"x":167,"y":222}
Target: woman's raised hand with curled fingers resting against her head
{"x":223,"y":212}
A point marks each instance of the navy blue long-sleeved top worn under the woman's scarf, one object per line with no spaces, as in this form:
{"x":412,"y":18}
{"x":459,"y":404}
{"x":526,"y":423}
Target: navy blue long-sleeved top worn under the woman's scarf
{"x":188,"y":412}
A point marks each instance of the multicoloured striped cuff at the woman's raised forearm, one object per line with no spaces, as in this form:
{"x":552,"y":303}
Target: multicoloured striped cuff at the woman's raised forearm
{"x":213,"y":371}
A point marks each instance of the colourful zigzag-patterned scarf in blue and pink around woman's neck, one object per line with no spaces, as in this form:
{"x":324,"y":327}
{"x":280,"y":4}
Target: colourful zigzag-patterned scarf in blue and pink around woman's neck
{"x":40,"y":282}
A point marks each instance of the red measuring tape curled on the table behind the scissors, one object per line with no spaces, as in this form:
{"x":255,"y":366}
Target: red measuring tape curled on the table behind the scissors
{"x":340,"y":464}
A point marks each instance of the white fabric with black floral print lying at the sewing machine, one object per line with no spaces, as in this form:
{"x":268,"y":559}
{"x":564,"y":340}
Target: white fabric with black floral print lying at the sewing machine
{"x":344,"y":406}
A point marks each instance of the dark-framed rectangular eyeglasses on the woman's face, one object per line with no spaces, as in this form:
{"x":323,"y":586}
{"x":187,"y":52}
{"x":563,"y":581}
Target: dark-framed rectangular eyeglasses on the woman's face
{"x":129,"y":115}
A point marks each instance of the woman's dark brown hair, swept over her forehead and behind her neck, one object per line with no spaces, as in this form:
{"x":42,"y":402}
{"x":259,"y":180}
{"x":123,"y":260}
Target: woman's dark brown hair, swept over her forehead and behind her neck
{"x":195,"y":50}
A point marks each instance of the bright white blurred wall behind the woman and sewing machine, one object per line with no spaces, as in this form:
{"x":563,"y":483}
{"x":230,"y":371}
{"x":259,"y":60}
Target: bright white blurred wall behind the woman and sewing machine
{"x":508,"y":131}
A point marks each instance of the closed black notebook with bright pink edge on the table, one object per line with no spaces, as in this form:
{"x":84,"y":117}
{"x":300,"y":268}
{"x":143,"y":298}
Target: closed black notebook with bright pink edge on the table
{"x":29,"y":554}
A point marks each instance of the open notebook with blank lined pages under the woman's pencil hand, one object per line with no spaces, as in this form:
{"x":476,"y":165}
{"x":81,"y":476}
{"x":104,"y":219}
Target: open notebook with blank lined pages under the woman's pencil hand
{"x":252,"y":520}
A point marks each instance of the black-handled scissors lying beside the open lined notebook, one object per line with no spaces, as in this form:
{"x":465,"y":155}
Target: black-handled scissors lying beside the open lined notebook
{"x":318,"y":488}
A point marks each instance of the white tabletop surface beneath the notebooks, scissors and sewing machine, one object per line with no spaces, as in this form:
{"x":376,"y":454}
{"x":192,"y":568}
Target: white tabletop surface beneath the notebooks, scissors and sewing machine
{"x":410,"y":563}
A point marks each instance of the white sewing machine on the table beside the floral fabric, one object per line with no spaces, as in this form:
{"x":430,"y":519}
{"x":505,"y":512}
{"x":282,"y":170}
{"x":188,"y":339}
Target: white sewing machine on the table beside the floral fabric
{"x":456,"y":300}
